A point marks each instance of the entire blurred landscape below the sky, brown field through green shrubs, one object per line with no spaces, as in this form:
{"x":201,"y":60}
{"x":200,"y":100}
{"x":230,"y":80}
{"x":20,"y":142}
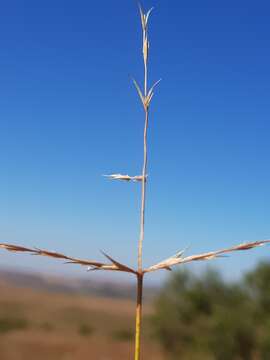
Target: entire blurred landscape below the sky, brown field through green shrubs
{"x":200,"y":317}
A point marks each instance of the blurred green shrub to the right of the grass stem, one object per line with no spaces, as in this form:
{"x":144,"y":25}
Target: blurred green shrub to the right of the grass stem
{"x":206,"y":318}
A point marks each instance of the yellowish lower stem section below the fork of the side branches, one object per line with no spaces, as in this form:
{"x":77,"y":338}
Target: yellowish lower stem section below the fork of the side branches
{"x":138,"y":316}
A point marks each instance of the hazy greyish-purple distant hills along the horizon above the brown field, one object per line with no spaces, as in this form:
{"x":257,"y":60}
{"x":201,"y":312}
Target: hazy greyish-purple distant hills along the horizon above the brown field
{"x":70,"y":285}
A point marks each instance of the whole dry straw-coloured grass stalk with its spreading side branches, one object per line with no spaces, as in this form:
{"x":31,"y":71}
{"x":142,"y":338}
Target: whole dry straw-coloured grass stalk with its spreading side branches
{"x":146,"y":97}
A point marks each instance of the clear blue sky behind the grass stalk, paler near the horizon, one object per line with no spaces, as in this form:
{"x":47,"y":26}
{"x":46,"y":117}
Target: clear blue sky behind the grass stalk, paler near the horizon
{"x":69,"y":113}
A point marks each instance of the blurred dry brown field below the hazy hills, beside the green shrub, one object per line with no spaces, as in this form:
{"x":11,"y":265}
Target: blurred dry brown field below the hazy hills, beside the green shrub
{"x":53,"y":326}
